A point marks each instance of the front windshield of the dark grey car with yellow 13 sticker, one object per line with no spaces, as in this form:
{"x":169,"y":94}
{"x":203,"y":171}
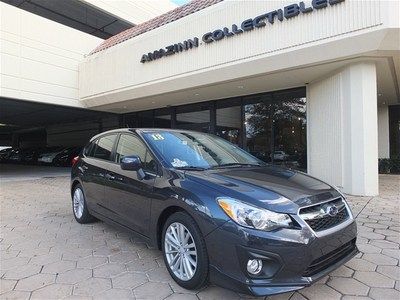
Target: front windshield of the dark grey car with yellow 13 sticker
{"x":196,"y":150}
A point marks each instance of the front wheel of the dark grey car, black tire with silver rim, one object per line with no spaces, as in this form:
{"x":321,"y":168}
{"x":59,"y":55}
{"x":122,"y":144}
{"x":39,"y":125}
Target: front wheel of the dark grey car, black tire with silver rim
{"x":184,"y":251}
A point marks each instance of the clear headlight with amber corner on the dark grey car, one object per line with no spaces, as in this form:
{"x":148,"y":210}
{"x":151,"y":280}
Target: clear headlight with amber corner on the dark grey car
{"x":253,"y":217}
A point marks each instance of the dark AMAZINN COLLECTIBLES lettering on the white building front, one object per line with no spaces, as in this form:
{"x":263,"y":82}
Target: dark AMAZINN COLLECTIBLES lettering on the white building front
{"x":260,"y":21}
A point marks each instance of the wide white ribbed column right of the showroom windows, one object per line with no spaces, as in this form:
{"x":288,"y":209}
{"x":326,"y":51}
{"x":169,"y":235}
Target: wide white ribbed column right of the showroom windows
{"x":342,"y":129}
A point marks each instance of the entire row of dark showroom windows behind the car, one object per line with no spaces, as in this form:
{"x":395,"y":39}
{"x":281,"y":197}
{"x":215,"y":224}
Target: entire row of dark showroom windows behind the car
{"x":271,"y":126}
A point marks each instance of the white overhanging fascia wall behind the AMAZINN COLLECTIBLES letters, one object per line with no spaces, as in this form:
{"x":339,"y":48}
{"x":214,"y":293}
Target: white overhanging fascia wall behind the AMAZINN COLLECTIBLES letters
{"x":336,"y":32}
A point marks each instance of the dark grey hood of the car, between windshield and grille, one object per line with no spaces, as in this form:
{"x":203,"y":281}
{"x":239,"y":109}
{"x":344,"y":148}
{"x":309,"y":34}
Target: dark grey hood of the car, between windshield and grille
{"x":274,"y":188}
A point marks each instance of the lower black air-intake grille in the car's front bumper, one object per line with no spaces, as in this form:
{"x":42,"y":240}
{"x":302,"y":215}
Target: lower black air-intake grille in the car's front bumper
{"x":327,"y":260}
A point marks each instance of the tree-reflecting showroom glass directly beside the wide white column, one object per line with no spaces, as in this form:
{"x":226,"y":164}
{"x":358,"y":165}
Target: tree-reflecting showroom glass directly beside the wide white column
{"x":275,"y":126}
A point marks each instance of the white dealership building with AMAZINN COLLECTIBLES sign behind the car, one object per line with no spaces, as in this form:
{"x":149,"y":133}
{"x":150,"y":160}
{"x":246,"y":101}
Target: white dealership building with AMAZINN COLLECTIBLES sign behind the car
{"x":313,"y":85}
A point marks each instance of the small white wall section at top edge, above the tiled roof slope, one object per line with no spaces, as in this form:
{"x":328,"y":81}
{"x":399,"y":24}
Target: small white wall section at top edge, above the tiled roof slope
{"x":133,"y":11}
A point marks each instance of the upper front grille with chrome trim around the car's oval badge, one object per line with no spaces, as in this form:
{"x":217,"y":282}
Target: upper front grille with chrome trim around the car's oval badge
{"x":319,"y":219}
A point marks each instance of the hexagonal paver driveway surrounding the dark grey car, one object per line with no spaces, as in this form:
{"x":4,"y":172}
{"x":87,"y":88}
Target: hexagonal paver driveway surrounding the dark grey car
{"x":45,"y":254}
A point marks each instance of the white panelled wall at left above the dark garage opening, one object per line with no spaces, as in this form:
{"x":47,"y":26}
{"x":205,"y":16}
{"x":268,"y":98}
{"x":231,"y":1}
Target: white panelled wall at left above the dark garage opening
{"x":39,"y":58}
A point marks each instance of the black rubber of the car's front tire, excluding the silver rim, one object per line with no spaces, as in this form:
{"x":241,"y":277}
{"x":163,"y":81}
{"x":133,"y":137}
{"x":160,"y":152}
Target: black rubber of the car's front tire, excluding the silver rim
{"x":200,"y":277}
